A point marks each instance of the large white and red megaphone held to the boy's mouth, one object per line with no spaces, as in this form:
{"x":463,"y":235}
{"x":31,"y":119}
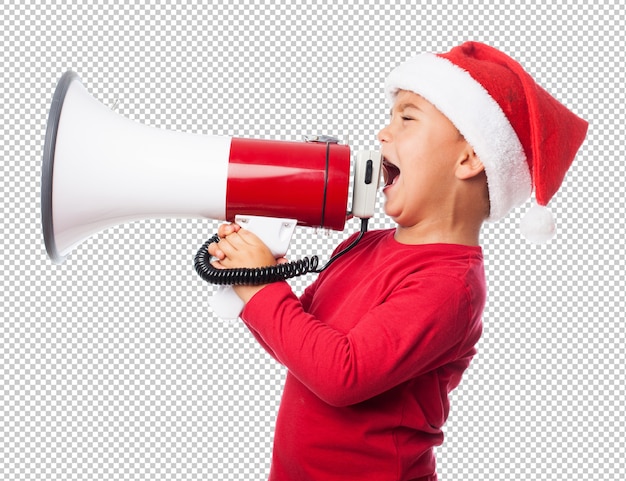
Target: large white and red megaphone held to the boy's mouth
{"x":101,"y":169}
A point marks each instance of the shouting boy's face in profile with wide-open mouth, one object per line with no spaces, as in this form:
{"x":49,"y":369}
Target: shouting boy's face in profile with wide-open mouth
{"x":421,"y":149}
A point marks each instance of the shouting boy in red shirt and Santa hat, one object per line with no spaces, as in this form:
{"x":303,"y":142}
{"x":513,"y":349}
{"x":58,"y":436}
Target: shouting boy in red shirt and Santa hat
{"x":374,"y":346}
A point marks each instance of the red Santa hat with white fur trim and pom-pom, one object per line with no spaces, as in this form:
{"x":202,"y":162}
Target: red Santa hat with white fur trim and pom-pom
{"x":524,"y":137}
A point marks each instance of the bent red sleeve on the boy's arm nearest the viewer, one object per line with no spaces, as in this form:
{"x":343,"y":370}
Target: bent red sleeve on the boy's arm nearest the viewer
{"x":420,"y":327}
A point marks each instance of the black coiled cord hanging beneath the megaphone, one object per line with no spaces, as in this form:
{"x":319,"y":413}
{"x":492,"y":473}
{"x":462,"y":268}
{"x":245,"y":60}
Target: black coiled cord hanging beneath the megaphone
{"x":261,"y":275}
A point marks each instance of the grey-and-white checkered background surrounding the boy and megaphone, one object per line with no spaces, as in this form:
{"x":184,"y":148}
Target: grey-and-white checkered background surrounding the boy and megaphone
{"x":112,"y":365}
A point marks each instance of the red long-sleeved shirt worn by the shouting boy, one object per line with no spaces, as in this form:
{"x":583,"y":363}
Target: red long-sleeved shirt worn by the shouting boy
{"x":373,"y":347}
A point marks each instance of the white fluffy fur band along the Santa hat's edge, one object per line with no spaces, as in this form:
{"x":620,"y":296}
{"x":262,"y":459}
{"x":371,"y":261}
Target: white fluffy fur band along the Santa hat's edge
{"x":478,"y":117}
